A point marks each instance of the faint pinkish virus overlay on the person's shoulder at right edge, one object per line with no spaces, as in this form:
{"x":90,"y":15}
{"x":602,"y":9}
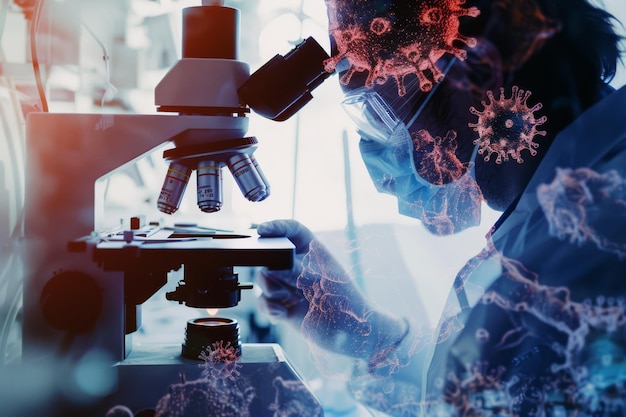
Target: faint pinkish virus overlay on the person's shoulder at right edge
{"x":584,"y":206}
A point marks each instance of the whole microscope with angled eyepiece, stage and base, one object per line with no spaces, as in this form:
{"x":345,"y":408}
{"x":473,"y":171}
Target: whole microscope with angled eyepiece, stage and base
{"x":87,"y":275}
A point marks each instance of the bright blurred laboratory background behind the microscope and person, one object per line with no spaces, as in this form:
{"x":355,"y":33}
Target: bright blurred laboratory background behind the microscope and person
{"x":106,"y":56}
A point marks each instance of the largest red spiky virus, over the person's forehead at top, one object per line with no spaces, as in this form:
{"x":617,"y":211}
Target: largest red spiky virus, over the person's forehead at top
{"x":388,"y":47}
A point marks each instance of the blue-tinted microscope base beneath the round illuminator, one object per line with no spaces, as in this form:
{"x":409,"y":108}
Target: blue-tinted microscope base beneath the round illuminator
{"x":260,"y":383}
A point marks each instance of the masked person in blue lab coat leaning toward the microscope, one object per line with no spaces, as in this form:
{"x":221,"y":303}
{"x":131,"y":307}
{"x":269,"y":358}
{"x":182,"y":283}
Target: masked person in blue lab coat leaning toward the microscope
{"x":459,"y":102}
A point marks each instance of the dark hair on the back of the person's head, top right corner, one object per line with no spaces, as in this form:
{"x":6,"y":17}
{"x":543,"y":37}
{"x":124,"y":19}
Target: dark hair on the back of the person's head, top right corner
{"x":569,"y":70}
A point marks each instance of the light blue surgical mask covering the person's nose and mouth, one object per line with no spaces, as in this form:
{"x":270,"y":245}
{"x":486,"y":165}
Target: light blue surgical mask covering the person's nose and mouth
{"x":443,"y":209}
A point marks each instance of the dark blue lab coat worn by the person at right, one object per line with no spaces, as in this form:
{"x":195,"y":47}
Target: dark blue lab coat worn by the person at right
{"x":541,"y":312}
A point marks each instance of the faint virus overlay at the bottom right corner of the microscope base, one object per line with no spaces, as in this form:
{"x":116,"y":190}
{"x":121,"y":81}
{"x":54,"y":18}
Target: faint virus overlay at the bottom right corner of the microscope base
{"x":293,"y":399}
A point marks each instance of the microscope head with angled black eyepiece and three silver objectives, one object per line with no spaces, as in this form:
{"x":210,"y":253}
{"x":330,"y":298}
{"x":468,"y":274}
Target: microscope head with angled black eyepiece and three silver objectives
{"x":210,"y":81}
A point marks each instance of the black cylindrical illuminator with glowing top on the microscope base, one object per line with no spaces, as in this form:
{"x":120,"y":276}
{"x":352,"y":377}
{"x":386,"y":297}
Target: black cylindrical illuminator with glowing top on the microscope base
{"x":211,"y":333}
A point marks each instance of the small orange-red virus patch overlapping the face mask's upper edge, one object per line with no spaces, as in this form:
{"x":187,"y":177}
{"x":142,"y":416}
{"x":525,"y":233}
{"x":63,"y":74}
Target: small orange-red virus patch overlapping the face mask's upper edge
{"x":438,"y":162}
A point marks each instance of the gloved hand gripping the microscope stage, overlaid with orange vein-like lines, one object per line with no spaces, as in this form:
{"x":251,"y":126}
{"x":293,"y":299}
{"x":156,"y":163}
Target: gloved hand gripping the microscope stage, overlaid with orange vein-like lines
{"x":320,"y":297}
